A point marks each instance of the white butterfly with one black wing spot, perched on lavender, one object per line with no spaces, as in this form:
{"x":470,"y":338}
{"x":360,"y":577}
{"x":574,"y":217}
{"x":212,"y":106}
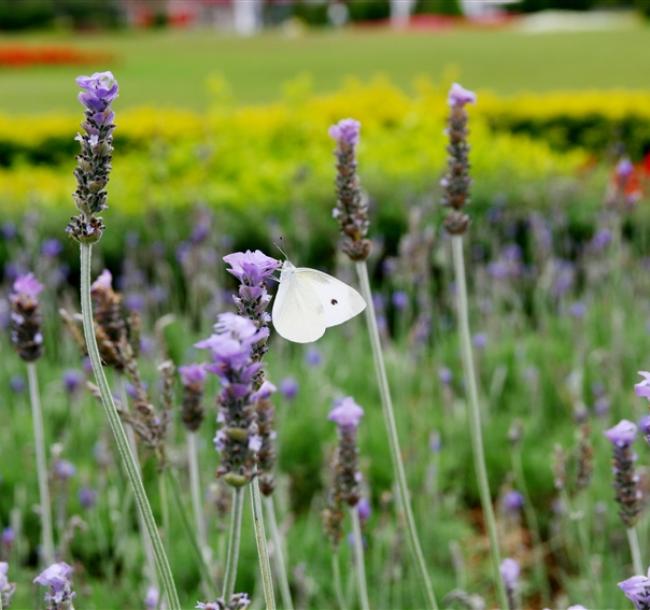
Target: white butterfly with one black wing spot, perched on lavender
{"x":309,"y":301}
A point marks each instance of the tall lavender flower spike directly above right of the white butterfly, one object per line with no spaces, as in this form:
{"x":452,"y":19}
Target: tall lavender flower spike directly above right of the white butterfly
{"x":351,"y":209}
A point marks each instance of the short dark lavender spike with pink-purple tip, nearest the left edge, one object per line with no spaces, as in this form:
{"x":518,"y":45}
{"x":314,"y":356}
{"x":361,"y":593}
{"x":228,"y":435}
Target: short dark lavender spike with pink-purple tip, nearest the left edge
{"x":26,"y":319}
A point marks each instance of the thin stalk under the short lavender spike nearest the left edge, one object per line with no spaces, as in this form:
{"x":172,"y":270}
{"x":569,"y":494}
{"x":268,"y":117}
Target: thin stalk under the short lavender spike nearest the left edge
{"x":47,"y":535}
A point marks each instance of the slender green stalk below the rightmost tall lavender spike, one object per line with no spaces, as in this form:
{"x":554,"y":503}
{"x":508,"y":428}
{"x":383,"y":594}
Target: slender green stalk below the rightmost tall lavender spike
{"x":475,"y":416}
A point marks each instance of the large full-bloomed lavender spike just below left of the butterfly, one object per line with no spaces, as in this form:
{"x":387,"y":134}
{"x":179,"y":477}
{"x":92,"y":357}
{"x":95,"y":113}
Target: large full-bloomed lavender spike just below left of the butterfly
{"x":232,"y":354}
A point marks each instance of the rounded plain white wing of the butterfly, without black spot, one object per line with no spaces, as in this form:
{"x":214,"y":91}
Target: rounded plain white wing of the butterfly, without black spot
{"x":297,"y":314}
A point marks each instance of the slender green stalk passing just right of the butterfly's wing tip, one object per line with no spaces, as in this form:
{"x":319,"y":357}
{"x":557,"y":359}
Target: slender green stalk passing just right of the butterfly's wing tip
{"x":393,"y":439}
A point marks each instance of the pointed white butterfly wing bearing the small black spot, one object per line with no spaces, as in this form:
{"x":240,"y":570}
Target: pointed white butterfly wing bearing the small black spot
{"x":339,"y":301}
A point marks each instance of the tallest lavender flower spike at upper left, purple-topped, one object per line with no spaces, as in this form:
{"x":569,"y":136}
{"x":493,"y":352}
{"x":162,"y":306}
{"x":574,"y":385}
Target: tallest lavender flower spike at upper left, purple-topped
{"x":94,"y":160}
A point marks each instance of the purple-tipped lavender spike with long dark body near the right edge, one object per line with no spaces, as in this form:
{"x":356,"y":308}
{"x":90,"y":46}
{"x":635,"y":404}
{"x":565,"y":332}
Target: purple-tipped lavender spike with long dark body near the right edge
{"x":626,"y":481}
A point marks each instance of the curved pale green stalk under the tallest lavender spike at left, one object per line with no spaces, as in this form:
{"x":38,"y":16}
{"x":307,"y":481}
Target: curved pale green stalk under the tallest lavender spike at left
{"x":126,"y":455}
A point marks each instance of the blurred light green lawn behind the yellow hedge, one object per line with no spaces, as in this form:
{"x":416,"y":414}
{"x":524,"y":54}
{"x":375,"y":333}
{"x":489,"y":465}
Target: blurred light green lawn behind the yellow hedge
{"x":171,"y":68}
